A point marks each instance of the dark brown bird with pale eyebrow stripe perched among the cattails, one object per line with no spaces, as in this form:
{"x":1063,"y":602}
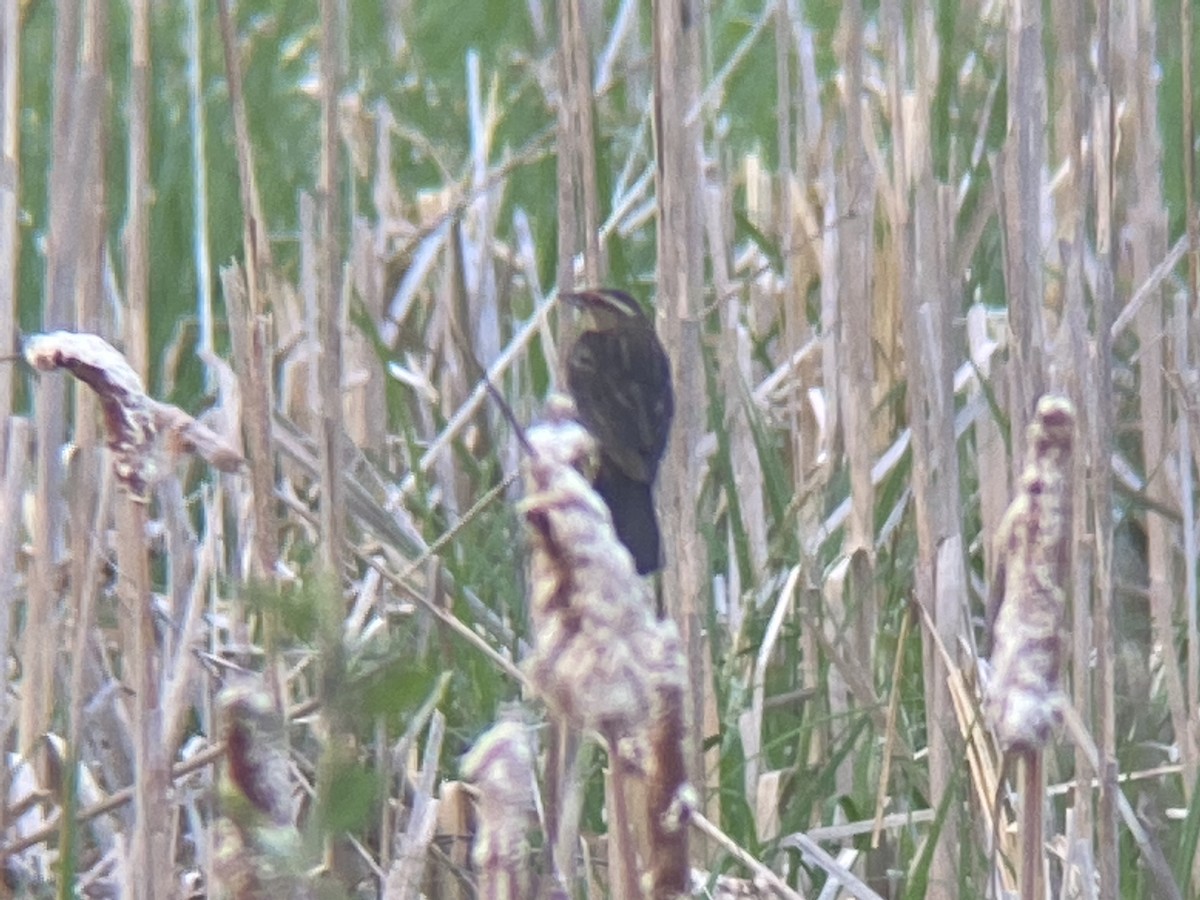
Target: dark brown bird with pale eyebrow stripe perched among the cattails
{"x":620,"y":379}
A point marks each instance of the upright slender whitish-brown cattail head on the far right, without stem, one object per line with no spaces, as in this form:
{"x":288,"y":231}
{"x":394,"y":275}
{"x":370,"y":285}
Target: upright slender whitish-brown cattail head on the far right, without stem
{"x":1029,"y":593}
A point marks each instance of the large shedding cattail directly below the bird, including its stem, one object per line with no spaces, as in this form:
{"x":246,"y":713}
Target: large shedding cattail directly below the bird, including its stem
{"x":602,"y":659}
